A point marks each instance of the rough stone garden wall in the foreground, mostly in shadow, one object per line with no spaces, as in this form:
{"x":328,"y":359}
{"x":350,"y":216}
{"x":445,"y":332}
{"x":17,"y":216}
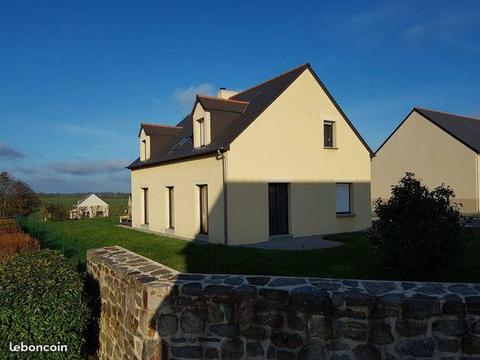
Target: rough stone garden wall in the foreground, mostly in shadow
{"x":150,"y":311}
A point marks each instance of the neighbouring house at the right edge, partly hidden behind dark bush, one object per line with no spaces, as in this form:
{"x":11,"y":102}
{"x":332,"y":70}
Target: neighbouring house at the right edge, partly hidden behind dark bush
{"x":437,"y":147}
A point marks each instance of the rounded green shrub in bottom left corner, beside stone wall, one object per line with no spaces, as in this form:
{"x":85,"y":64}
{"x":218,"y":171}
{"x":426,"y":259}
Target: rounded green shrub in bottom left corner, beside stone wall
{"x":41,"y":302}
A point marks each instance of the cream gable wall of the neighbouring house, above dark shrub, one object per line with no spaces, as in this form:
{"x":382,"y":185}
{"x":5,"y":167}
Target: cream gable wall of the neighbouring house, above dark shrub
{"x":435,"y":157}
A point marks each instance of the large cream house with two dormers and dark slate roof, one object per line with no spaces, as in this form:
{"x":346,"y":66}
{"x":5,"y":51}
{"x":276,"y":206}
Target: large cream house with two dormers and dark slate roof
{"x":280,"y":159}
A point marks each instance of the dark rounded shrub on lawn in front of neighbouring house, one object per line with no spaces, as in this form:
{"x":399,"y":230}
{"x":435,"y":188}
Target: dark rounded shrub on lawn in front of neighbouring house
{"x":418,"y":232}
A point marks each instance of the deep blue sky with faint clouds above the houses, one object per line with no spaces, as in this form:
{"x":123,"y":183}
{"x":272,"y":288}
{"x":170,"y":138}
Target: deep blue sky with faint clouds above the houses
{"x":77,"y":78}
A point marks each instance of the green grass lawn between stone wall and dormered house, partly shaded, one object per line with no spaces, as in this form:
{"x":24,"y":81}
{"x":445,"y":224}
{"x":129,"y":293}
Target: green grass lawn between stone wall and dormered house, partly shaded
{"x":353,"y":260}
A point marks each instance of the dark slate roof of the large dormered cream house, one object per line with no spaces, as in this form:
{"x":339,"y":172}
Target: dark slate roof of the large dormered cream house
{"x":229,"y":118}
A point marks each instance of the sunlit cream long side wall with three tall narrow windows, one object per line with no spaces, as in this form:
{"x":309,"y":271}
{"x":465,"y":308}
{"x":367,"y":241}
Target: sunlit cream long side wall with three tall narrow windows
{"x":184,"y":176}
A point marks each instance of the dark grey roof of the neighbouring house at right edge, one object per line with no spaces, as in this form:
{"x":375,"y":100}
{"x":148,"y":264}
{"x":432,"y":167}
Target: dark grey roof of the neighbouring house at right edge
{"x":463,"y":128}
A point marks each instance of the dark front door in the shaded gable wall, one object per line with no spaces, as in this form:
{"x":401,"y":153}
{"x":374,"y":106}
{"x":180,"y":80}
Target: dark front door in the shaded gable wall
{"x":278,"y":208}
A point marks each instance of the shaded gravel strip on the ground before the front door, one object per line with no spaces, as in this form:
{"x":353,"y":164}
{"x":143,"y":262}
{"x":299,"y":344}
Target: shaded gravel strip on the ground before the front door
{"x":298,"y":243}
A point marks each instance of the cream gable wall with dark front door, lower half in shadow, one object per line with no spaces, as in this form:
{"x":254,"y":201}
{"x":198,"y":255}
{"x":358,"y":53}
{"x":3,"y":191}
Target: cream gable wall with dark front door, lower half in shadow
{"x":285,"y":144}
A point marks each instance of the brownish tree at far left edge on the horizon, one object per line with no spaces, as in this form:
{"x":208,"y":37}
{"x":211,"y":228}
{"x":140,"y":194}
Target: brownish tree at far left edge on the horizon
{"x":16,"y":197}
